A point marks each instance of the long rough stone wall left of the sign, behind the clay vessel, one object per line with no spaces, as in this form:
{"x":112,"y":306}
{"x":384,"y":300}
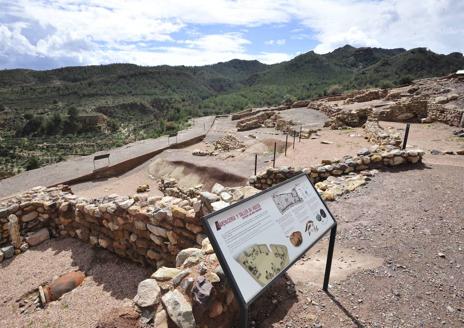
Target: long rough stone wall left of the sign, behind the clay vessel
{"x":146,"y":230}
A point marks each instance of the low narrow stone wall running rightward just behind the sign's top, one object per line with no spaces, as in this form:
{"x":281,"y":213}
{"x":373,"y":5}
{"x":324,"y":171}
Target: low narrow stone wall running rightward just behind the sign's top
{"x":374,"y":158}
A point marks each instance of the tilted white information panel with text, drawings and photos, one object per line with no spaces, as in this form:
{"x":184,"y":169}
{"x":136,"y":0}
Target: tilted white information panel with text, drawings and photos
{"x":262,"y":236}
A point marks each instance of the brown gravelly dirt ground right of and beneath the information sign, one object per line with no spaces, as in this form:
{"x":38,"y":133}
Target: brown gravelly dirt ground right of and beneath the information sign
{"x":405,"y":232}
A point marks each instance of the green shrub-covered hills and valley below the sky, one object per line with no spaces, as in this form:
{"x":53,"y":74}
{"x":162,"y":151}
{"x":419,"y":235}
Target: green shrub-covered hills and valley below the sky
{"x":47,"y":116}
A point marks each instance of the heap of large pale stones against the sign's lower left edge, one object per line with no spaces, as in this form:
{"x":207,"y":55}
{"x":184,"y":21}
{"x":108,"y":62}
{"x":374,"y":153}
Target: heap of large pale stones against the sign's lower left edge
{"x":194,"y":293}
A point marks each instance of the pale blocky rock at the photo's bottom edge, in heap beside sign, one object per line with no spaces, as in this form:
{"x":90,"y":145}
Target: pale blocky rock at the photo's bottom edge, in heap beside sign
{"x":179,"y":309}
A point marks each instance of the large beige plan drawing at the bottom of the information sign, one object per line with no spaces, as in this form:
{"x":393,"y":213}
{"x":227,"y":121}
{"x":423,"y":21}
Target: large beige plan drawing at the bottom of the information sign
{"x":262,"y":263}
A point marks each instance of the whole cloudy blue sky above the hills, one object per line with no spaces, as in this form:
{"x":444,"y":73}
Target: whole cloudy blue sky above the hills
{"x":43,"y":34}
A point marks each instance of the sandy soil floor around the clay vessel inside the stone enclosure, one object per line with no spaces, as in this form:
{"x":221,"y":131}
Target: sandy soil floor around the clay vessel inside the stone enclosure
{"x":111,"y":282}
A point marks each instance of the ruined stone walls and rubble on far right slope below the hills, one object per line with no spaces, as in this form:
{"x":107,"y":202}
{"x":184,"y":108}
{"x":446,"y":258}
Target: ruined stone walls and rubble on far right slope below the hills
{"x":426,"y":101}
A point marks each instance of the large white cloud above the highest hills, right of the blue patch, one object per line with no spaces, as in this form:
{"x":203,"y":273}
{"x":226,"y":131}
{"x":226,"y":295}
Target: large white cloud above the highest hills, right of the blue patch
{"x":437,"y":24}
